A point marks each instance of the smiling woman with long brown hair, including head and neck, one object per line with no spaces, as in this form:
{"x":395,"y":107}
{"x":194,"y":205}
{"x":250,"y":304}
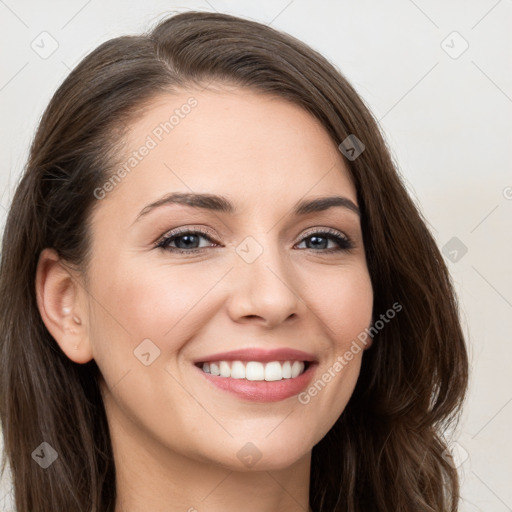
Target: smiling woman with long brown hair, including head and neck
{"x":218,"y":293}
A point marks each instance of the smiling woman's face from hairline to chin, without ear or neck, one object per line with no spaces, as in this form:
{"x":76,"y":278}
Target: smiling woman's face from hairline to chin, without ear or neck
{"x":261,"y":277}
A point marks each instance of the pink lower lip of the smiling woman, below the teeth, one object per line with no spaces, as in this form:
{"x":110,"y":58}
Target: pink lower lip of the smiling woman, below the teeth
{"x":262,"y":390}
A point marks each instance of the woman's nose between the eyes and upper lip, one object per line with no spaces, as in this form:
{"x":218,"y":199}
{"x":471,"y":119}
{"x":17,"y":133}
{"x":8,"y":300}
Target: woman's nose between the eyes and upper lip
{"x":263,"y":291}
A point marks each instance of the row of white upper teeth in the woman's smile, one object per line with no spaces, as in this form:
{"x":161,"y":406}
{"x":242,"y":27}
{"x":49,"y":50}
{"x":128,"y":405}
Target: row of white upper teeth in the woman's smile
{"x":255,"y":370}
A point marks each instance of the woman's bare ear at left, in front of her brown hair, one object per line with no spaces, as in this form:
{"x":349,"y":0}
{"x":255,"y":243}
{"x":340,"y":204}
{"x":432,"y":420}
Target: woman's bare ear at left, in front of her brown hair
{"x":62,"y":307}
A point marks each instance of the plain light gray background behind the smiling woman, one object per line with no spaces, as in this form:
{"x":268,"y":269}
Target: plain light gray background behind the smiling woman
{"x":447,"y":118}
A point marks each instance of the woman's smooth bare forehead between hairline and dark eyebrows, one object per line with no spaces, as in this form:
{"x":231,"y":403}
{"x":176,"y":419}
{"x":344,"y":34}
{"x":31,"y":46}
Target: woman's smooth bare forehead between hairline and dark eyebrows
{"x":249,"y":146}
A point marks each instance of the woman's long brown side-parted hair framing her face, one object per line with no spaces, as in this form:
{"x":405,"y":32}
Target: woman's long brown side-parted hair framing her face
{"x":386,"y":452}
